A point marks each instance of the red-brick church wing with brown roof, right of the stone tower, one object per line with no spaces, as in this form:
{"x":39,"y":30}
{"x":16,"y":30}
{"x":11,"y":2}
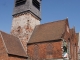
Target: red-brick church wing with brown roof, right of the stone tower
{"x":53,"y":40}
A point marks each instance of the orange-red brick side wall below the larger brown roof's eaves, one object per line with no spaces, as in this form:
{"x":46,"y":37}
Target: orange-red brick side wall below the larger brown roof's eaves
{"x":46,"y":50}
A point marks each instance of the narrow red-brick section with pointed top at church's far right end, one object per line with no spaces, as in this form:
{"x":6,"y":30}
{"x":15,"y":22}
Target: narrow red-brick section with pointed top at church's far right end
{"x":74,"y":44}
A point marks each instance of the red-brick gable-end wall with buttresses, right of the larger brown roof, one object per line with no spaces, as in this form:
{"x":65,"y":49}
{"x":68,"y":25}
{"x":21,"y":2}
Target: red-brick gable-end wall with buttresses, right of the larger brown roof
{"x":71,"y":37}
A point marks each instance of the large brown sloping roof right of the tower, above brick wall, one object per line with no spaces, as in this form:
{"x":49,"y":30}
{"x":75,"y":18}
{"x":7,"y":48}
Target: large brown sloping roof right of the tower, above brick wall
{"x":48,"y":32}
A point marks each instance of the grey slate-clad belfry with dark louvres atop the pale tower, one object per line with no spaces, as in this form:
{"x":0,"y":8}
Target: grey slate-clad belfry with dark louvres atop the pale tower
{"x":22,"y":6}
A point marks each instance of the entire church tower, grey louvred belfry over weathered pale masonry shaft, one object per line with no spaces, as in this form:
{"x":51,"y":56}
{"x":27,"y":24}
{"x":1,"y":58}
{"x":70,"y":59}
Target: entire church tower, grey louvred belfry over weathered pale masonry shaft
{"x":26,"y":16}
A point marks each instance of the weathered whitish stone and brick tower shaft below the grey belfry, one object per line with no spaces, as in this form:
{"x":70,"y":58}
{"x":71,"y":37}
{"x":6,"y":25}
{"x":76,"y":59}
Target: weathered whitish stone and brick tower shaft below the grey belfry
{"x":23,"y":26}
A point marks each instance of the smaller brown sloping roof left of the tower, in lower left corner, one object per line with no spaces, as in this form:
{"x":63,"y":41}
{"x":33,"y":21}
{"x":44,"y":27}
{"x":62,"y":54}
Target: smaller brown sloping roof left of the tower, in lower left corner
{"x":13,"y":45}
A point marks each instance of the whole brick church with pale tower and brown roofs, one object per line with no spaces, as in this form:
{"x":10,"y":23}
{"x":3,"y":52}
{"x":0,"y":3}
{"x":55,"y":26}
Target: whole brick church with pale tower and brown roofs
{"x":30,"y":40}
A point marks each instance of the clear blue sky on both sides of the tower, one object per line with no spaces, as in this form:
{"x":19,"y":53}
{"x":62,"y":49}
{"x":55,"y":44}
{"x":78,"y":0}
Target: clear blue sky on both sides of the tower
{"x":51,"y":10}
